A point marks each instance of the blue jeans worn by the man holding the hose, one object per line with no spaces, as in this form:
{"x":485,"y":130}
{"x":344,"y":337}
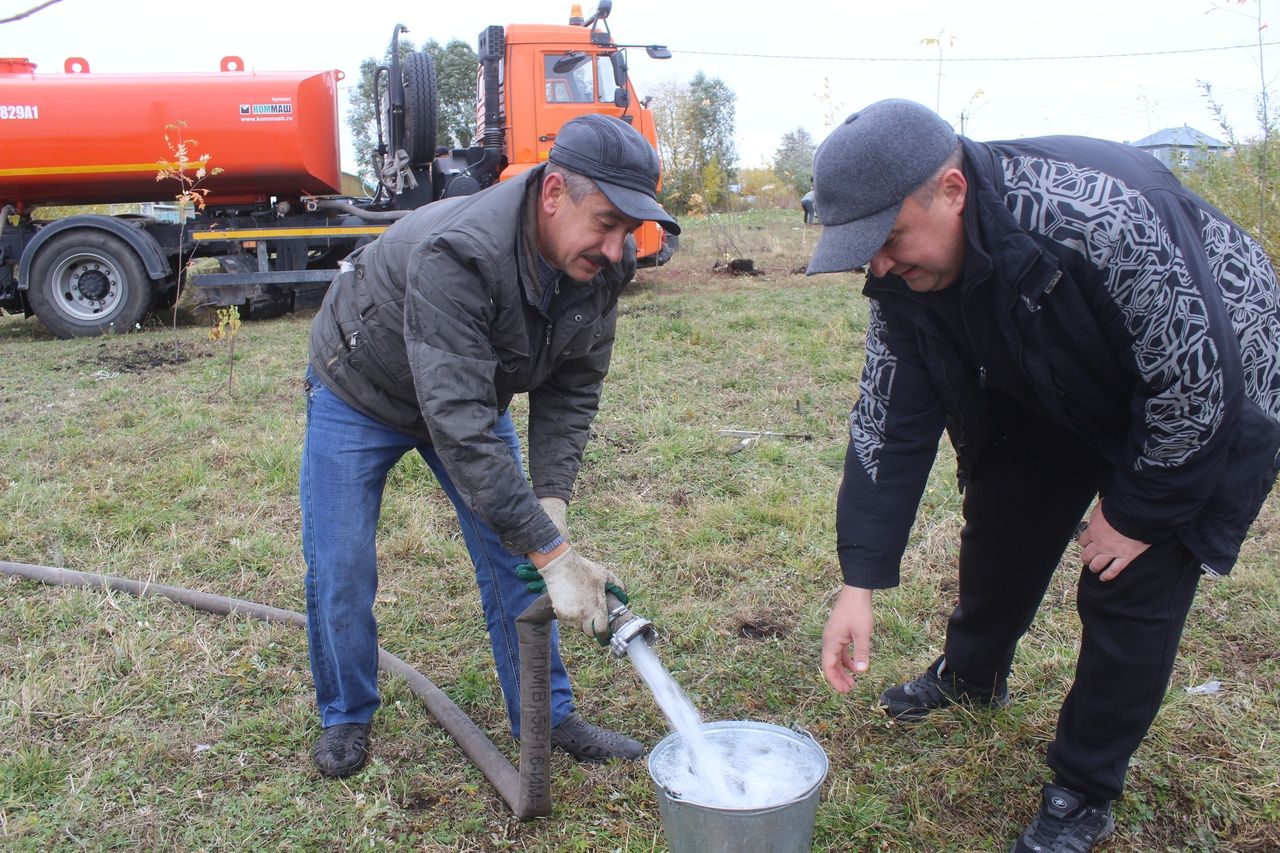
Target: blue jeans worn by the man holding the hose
{"x":346,"y":459}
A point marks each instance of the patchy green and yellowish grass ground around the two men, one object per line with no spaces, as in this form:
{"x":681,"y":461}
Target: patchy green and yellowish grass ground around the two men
{"x":141,"y":724}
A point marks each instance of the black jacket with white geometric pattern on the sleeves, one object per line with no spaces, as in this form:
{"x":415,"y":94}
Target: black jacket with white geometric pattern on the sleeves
{"x":1142,"y":318}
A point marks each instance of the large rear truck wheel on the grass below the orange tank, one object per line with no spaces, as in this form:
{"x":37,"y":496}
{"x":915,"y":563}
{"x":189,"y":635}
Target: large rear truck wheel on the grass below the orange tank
{"x":86,"y":284}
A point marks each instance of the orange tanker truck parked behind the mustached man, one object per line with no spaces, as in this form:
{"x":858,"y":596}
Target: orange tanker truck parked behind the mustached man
{"x":276,"y":220}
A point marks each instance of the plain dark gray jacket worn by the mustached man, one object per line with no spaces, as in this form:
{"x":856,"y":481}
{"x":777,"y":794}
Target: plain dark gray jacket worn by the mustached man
{"x":436,"y":327}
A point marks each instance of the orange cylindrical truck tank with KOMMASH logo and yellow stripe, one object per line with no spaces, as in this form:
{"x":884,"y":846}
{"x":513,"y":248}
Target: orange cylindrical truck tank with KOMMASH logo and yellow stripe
{"x":81,"y":139}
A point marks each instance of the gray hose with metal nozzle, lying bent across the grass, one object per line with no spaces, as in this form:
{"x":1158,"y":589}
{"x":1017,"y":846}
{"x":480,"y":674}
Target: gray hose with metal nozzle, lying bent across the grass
{"x":525,"y":791}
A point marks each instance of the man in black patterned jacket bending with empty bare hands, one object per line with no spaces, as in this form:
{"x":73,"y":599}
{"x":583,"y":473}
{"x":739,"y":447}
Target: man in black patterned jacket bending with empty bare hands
{"x":1089,"y":332}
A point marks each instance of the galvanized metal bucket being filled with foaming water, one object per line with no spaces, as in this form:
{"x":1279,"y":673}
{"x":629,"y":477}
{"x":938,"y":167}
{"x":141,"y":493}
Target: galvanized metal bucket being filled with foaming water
{"x":775,"y":819}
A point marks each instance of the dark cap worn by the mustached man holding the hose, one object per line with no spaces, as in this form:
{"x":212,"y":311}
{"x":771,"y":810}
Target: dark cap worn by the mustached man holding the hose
{"x":620,"y":161}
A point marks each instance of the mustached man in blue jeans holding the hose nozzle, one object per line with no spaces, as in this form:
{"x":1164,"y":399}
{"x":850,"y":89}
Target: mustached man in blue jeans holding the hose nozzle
{"x":423,"y":340}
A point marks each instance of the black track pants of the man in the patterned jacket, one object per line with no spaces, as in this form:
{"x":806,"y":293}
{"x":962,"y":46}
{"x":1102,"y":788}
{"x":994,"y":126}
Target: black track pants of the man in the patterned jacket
{"x":1022,"y":507}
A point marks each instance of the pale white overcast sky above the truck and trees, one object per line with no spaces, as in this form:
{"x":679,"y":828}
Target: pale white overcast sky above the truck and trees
{"x":998,"y":65}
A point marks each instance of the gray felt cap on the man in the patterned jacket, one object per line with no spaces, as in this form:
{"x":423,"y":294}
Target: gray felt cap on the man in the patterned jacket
{"x":863,"y":174}
